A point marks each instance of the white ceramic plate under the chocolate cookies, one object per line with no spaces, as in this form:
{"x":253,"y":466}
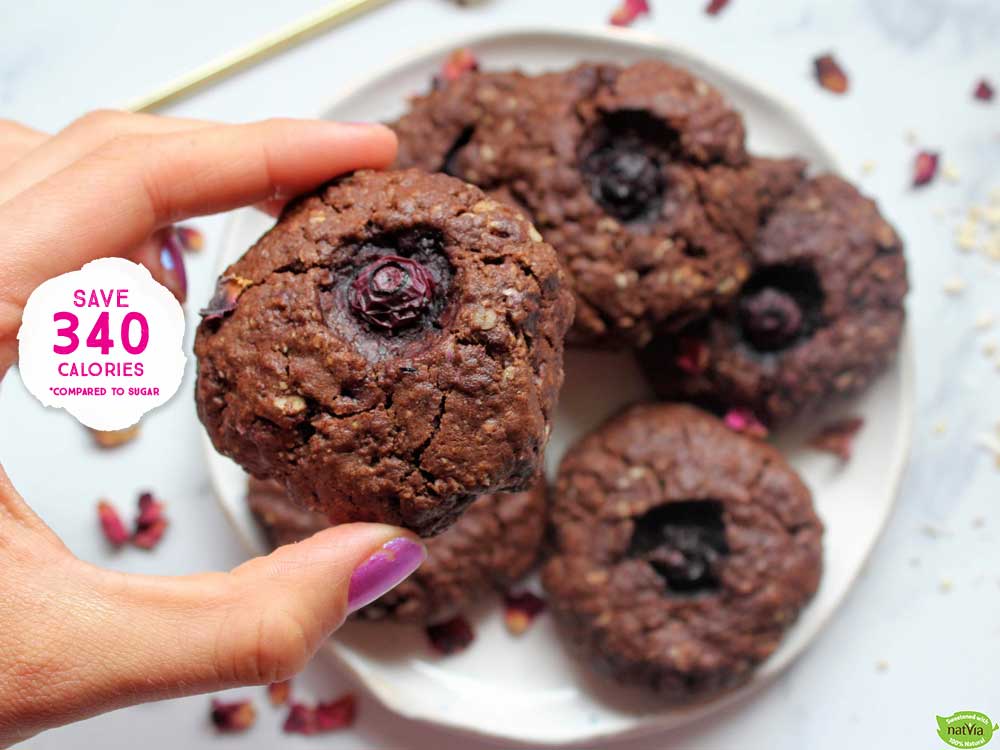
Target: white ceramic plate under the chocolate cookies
{"x":556,"y":701}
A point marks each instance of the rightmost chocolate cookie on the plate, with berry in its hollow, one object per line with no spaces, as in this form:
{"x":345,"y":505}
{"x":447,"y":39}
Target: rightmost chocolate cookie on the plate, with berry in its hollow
{"x":820,"y":317}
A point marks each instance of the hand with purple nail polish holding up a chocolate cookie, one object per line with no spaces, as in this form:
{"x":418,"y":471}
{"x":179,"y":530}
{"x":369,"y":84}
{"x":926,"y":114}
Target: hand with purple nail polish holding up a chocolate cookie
{"x":76,"y":640}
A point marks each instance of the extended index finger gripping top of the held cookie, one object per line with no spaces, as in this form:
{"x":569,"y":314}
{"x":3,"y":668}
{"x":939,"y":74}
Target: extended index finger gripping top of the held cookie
{"x":112,"y":199}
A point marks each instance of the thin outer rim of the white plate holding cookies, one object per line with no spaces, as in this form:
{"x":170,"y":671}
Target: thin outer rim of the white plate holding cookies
{"x":905,"y":361}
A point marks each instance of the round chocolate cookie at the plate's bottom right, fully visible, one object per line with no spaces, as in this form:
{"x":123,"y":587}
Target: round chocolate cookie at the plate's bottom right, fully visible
{"x":683,"y":551}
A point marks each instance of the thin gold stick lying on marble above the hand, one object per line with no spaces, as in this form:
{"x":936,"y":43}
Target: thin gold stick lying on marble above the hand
{"x":332,"y":15}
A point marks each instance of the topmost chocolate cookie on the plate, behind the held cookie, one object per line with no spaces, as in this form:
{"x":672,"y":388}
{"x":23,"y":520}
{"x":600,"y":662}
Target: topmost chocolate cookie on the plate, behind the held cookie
{"x":637,"y":176}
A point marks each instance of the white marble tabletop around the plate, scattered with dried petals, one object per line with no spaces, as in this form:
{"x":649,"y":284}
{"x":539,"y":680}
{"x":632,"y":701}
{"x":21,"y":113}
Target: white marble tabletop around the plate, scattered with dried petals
{"x":919,"y":635}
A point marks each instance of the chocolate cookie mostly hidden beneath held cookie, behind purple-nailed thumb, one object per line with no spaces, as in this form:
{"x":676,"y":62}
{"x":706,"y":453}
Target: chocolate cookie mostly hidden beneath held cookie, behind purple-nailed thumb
{"x":493,"y":545}
